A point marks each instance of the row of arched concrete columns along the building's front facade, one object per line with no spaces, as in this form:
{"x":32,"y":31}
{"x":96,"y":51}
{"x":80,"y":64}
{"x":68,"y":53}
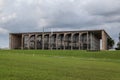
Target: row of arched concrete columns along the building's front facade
{"x":56,"y":41}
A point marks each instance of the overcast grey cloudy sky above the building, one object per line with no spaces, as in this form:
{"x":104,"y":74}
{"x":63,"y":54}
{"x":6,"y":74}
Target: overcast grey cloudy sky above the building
{"x":58,"y":15}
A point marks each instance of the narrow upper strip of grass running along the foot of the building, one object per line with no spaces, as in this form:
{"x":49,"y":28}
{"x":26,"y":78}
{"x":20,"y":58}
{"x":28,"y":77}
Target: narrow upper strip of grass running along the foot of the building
{"x":73,"y":53}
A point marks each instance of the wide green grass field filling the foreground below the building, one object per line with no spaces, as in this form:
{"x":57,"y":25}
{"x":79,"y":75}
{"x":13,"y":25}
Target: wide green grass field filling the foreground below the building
{"x":59,"y":65}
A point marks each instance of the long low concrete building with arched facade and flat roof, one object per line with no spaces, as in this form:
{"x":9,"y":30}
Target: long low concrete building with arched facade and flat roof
{"x":66,"y":40}
